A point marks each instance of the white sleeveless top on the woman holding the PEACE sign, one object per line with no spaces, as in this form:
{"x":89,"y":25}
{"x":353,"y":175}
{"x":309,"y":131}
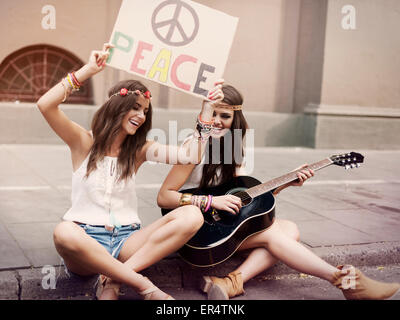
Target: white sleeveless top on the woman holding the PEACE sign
{"x":100,"y":199}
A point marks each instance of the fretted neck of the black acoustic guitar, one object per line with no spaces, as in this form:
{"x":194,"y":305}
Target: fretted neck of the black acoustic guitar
{"x":280,"y":181}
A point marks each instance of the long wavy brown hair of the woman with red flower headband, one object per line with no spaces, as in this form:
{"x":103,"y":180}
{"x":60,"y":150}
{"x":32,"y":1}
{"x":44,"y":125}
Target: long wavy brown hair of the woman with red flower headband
{"x":107,"y":123}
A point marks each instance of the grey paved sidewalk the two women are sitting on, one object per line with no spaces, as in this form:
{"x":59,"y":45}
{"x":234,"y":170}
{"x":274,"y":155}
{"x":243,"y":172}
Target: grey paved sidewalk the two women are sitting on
{"x":344,"y":216}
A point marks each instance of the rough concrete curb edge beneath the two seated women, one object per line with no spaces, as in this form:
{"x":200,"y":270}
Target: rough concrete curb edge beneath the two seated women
{"x":172,"y":272}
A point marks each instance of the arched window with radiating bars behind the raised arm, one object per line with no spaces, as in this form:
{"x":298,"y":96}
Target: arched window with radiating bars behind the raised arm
{"x":28,"y":73}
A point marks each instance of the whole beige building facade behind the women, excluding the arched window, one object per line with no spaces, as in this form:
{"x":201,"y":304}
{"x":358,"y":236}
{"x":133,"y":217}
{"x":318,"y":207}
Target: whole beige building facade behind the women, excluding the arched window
{"x":288,"y":57}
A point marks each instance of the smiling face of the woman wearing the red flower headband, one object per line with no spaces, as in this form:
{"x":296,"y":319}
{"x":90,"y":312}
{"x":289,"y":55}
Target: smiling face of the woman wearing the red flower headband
{"x":137,"y":116}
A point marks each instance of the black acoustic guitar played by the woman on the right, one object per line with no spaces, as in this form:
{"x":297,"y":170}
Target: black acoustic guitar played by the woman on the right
{"x":222,"y":232}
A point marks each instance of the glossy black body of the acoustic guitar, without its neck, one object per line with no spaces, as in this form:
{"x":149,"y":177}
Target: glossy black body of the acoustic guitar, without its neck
{"x":216,"y":241}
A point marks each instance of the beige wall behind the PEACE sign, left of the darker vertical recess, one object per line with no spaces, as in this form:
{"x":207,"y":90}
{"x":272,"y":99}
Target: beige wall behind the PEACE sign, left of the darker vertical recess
{"x":261,"y":64}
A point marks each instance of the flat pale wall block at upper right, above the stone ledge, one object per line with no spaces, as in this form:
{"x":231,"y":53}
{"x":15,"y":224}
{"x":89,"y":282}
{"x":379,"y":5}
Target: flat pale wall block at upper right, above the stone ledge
{"x":362,"y":66}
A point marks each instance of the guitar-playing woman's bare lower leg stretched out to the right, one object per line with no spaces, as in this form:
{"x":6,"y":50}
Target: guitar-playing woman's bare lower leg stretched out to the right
{"x":290,"y":252}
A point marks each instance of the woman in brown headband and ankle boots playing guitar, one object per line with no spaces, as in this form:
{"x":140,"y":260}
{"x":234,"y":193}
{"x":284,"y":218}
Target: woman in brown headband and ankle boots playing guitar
{"x":278,"y":242}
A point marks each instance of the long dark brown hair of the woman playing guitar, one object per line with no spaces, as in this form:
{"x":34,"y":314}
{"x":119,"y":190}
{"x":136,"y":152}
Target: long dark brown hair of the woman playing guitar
{"x":222,"y":172}
